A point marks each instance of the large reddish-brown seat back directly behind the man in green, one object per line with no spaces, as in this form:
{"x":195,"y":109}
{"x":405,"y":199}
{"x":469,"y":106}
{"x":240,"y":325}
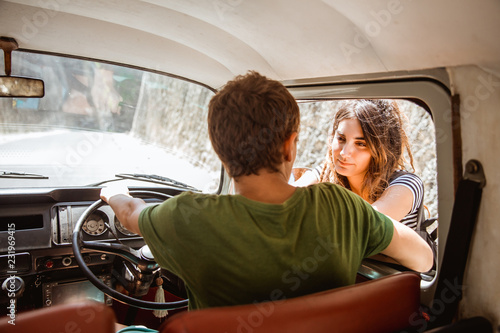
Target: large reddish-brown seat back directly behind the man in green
{"x":384,"y":305}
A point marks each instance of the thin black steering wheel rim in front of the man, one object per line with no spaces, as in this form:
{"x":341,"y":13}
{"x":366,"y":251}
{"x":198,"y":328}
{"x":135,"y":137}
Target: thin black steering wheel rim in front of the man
{"x":77,"y":245}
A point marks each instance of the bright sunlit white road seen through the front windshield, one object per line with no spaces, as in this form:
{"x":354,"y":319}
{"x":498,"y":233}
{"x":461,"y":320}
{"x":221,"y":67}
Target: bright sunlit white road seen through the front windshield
{"x":75,"y":158}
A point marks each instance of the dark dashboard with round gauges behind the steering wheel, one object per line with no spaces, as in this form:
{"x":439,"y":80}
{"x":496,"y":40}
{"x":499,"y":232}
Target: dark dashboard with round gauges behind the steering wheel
{"x":37,"y":265}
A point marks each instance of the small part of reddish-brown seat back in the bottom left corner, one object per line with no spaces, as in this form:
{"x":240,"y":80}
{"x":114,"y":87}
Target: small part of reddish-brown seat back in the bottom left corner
{"x":91,"y":317}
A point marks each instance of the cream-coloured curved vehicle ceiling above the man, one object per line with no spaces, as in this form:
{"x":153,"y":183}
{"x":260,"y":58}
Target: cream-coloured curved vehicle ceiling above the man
{"x":211,"y":41}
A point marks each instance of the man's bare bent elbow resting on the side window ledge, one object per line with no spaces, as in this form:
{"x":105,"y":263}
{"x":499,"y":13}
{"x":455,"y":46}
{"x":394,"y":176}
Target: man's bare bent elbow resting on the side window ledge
{"x":409,"y":249}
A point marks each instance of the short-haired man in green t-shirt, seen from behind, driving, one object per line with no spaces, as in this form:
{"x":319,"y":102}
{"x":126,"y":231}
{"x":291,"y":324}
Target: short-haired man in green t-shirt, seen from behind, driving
{"x":269,"y":240}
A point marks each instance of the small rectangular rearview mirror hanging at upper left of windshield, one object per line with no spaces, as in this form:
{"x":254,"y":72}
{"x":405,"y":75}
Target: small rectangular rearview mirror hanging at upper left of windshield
{"x":15,"y":86}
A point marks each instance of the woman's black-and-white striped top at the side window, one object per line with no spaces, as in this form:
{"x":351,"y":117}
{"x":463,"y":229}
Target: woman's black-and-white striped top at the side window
{"x":415,"y":185}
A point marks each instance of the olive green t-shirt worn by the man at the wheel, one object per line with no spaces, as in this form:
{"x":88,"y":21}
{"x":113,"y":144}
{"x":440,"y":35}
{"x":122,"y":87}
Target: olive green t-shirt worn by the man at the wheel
{"x":232,"y":250}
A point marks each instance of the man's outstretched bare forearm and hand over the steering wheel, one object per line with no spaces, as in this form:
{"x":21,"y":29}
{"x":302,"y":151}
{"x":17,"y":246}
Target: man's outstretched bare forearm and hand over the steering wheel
{"x":126,"y":208}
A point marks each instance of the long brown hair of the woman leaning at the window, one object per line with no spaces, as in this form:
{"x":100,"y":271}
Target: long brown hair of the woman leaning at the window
{"x":382,"y":126}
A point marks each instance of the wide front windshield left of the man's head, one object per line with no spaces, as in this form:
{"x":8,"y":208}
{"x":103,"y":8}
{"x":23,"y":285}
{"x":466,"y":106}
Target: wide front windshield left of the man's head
{"x":97,"y":120}
